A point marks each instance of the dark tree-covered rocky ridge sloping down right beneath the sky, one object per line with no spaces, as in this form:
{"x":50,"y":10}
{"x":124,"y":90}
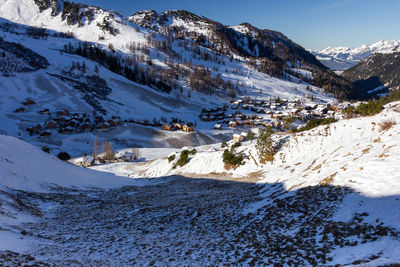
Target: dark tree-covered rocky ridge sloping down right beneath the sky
{"x":268,"y":51}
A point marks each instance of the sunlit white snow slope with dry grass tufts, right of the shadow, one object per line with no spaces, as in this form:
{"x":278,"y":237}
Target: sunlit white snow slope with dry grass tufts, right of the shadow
{"x":355,"y":153}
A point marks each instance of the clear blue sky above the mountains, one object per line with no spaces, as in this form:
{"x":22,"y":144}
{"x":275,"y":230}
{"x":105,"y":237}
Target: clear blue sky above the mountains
{"x":314,"y":24}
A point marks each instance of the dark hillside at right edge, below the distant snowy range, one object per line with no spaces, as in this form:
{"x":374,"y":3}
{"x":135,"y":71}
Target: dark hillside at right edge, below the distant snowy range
{"x":376,"y":72}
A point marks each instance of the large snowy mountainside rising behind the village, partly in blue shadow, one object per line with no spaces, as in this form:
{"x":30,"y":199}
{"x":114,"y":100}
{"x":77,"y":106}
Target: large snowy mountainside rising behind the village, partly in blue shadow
{"x":92,"y":62}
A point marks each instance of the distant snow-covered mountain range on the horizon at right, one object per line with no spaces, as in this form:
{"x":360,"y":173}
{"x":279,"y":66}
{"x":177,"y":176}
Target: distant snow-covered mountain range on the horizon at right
{"x":342,"y":58}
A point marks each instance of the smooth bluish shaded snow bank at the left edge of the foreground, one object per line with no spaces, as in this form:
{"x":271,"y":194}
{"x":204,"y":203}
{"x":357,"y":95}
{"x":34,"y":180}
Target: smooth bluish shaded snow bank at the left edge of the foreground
{"x":26,"y":167}
